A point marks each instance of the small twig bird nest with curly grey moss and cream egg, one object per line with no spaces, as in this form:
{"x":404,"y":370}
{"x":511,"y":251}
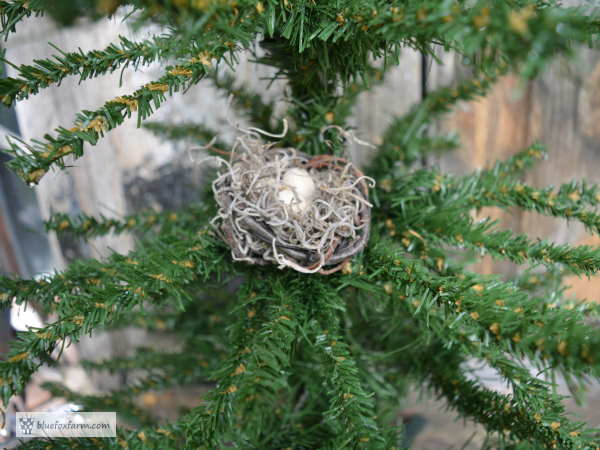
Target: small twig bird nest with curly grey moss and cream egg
{"x":281,"y":206}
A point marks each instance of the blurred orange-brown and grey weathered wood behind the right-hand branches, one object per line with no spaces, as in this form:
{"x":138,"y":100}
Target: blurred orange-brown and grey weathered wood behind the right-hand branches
{"x":559,"y":109}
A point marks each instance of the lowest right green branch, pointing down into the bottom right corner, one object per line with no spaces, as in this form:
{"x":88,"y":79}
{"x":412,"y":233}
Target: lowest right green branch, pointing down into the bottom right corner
{"x":531,"y":413}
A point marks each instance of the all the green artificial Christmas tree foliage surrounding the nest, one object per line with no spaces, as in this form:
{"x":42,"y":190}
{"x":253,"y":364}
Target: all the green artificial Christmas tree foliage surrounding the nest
{"x":310,"y":361}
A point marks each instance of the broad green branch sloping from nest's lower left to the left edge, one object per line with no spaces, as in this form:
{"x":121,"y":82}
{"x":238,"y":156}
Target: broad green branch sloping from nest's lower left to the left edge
{"x":112,"y":289}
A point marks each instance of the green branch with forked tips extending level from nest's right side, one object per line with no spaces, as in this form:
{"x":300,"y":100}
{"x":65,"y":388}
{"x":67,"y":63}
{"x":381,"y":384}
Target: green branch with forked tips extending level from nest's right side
{"x":427,"y":197}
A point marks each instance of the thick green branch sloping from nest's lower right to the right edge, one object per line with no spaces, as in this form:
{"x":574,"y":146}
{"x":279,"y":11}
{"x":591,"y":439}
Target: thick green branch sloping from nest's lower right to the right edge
{"x":499,"y":315}
